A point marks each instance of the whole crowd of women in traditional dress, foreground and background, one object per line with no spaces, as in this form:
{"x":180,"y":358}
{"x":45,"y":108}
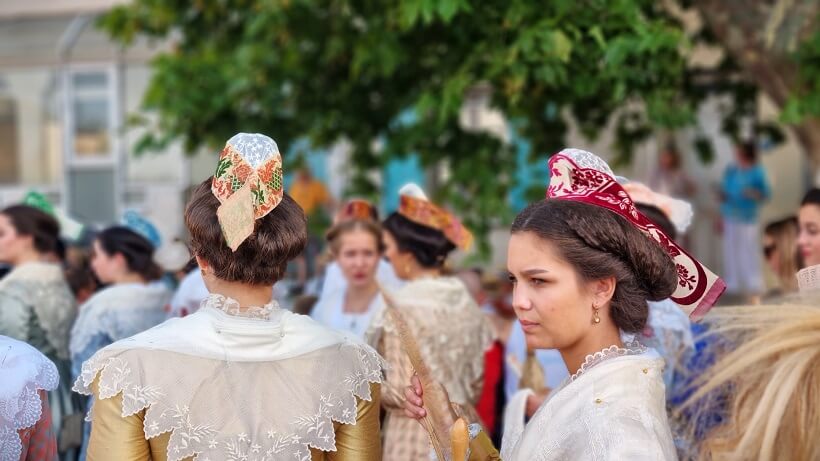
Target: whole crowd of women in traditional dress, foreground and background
{"x":596,"y":343}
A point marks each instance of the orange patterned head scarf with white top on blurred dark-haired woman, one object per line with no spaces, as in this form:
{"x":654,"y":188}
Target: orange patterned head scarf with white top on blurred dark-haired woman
{"x":415,"y":206}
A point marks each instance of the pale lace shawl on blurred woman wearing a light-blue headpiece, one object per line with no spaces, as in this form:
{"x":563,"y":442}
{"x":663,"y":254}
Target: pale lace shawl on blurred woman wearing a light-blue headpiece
{"x":119,"y":311}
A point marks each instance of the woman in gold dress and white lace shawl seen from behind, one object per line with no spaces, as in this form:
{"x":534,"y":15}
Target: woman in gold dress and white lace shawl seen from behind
{"x":241,"y":378}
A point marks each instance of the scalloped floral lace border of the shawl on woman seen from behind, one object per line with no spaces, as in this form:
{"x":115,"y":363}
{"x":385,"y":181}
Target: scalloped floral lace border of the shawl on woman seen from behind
{"x":195,"y":426}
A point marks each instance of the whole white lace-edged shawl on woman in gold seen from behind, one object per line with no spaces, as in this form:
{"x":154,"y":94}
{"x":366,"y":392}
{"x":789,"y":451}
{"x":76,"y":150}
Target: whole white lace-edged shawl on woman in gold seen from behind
{"x":236,"y":385}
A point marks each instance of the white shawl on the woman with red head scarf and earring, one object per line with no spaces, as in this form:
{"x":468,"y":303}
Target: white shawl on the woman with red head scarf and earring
{"x":614,"y":409}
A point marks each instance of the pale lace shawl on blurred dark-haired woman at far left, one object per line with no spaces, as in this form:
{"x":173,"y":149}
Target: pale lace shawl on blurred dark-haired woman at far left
{"x":41,"y":289}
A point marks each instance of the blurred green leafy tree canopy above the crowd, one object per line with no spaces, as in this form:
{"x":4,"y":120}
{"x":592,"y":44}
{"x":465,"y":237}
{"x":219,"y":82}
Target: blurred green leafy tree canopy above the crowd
{"x":354,"y":68}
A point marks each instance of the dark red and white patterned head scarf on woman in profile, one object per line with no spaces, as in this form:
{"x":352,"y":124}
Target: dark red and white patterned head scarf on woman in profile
{"x":584,"y":177}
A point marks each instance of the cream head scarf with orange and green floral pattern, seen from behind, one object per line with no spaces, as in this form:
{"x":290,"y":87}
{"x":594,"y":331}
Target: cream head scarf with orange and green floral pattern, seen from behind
{"x":248,"y":183}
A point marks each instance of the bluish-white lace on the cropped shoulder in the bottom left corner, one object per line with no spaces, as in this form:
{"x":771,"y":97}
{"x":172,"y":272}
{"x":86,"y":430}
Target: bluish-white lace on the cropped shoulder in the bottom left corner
{"x":22,"y":410}
